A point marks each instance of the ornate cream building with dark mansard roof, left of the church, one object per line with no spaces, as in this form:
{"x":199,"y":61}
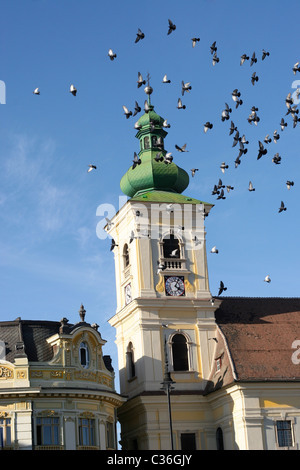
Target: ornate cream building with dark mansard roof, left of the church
{"x":56,"y":387}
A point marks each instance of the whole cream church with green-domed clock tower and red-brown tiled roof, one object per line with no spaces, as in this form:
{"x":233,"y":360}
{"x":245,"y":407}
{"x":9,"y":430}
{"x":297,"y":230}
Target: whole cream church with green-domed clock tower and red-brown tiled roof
{"x":198,"y":372}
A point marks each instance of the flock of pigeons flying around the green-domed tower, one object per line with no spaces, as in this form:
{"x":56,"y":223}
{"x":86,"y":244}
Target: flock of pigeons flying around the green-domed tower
{"x":238,"y":139}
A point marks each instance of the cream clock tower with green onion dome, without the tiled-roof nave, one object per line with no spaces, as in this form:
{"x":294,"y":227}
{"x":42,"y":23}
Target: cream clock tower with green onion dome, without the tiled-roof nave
{"x":165,"y":315}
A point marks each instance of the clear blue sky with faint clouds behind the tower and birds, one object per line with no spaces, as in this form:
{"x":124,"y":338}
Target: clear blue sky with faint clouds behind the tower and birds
{"x":50,"y":256}
